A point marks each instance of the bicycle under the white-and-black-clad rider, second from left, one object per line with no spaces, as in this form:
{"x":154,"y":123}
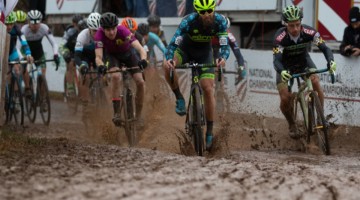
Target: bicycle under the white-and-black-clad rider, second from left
{"x":39,"y":93}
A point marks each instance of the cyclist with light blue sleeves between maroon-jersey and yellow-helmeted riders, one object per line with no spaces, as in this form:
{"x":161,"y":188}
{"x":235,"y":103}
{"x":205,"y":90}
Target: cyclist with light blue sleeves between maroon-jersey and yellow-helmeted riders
{"x":151,"y":39}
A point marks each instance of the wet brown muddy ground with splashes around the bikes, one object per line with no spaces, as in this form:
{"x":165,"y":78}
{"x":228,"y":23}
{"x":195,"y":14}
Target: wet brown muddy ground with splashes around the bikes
{"x":253,"y":158}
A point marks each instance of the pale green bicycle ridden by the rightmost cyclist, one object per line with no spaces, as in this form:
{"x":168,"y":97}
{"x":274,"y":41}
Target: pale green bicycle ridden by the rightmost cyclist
{"x":314,"y":121}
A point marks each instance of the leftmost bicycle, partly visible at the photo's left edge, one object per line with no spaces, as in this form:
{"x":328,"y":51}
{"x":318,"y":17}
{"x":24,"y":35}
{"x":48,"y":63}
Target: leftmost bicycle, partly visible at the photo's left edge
{"x":14,"y":105}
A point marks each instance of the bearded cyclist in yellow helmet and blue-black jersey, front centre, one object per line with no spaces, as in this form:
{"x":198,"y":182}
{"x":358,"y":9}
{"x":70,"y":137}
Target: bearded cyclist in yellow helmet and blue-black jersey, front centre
{"x":192,"y":42}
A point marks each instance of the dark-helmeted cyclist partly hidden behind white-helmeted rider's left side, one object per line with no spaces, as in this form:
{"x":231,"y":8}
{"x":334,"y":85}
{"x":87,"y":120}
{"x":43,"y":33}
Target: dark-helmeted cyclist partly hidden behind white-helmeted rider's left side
{"x":67,"y":51}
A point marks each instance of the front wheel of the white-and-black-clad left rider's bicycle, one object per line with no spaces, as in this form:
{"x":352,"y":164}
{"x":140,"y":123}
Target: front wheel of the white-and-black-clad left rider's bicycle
{"x":44,"y":100}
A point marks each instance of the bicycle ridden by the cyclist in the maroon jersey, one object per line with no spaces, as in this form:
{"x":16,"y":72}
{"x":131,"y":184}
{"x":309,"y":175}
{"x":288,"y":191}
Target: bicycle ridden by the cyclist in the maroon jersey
{"x":127,"y":106}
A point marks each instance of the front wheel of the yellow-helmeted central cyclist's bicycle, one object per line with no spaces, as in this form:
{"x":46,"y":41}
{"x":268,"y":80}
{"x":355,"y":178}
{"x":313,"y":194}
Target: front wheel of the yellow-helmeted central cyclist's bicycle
{"x":196,"y":126}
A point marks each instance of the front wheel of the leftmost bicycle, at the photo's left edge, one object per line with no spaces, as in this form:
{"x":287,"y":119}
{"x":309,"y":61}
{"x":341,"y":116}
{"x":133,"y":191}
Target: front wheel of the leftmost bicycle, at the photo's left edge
{"x":16,"y":102}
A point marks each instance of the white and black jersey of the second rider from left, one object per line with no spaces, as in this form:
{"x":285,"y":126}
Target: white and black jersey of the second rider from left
{"x":34,"y":40}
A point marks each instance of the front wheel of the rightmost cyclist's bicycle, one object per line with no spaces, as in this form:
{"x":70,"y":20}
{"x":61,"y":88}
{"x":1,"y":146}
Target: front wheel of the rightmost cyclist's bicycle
{"x":320,"y":126}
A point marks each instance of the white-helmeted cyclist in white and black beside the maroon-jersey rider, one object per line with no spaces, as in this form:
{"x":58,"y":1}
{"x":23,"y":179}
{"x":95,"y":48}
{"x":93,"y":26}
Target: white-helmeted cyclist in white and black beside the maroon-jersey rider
{"x":84,"y":55}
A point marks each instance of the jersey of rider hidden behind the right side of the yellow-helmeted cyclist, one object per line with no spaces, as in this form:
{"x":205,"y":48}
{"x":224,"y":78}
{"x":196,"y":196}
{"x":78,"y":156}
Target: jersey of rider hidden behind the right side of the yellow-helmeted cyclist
{"x":234,"y":47}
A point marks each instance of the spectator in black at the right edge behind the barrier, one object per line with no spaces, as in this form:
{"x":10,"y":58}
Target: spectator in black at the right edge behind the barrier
{"x":350,"y":45}
